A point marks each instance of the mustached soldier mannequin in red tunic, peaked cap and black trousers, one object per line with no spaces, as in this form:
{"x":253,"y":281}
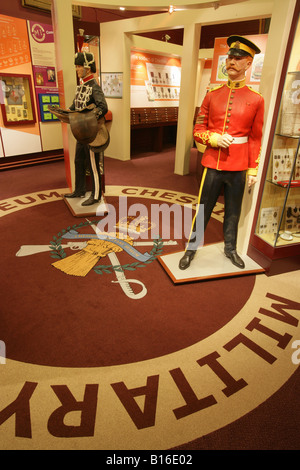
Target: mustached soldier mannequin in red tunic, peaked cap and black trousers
{"x":230,"y":124}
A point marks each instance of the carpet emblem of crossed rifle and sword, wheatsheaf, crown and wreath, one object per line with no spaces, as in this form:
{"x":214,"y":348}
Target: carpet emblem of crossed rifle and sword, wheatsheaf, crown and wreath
{"x":91,"y":248}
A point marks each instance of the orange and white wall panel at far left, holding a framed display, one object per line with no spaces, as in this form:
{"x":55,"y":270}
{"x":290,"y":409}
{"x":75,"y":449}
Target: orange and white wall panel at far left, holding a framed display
{"x":19,"y":129}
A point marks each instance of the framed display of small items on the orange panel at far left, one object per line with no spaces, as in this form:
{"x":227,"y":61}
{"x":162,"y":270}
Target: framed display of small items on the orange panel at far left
{"x":16,"y":99}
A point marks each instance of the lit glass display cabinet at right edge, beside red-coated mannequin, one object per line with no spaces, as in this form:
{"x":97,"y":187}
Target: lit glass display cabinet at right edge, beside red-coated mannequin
{"x":277,"y":229}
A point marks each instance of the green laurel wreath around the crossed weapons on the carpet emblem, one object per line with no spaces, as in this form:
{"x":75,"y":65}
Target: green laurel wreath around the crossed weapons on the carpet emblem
{"x":57,"y":251}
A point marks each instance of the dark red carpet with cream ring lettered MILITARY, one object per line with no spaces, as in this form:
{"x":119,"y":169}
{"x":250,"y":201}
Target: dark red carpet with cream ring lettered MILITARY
{"x":203,"y":365}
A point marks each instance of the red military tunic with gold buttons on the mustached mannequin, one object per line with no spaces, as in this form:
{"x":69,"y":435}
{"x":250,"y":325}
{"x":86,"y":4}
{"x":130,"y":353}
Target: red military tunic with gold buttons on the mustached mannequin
{"x":234,"y":109}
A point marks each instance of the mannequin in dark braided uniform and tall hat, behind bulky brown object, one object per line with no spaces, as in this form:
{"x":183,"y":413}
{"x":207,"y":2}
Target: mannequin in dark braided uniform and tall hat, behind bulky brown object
{"x":87,"y":93}
